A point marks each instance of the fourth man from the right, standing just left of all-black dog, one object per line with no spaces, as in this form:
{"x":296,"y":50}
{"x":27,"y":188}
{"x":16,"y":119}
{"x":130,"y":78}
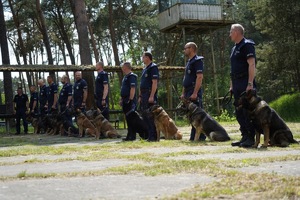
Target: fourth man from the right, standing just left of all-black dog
{"x":128,"y":98}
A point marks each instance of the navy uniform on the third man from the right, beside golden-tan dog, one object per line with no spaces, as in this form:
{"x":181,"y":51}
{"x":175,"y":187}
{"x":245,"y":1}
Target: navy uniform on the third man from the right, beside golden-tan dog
{"x":149,"y":73}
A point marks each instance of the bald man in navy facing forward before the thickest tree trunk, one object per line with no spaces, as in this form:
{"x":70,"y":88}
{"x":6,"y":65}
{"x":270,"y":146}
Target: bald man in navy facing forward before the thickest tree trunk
{"x":79,"y":92}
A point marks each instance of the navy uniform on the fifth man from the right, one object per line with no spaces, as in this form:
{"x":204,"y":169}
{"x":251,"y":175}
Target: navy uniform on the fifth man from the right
{"x":101,"y":80}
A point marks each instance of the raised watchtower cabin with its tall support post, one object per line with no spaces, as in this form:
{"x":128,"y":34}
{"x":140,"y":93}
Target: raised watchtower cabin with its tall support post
{"x":196,"y":17}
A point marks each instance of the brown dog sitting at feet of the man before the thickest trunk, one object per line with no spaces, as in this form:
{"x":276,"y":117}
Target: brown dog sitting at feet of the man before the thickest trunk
{"x":84,"y":123}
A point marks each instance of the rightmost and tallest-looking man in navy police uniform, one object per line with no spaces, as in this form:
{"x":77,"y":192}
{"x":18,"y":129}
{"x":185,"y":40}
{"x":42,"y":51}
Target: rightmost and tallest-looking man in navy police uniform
{"x":242,"y":79}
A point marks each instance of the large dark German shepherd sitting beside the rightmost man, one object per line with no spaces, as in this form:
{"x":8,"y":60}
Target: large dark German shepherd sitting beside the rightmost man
{"x":266,"y":121}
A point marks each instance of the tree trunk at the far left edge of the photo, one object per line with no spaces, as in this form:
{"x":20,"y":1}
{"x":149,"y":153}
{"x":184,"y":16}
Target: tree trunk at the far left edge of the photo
{"x":8,"y":91}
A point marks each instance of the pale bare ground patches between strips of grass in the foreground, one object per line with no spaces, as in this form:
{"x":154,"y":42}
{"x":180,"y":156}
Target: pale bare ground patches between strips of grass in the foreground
{"x":128,"y":186}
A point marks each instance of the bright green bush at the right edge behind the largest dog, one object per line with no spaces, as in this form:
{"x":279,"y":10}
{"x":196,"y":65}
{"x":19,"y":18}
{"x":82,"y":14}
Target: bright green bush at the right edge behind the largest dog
{"x":288,"y":107}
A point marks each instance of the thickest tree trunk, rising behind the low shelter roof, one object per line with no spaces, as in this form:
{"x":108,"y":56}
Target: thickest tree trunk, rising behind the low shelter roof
{"x":84,"y":47}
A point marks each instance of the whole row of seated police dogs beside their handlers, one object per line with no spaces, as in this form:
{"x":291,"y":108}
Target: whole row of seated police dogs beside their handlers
{"x":265,"y":120}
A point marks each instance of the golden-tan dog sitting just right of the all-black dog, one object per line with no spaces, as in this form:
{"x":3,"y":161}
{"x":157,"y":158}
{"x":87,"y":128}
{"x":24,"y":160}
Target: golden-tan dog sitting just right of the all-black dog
{"x":164,"y":124}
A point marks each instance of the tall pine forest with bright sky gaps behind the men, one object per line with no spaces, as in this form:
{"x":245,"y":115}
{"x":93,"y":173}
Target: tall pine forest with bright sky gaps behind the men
{"x":74,"y":32}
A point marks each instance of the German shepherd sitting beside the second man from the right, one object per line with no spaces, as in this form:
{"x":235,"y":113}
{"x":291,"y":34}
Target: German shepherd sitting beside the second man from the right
{"x":202,"y":122}
